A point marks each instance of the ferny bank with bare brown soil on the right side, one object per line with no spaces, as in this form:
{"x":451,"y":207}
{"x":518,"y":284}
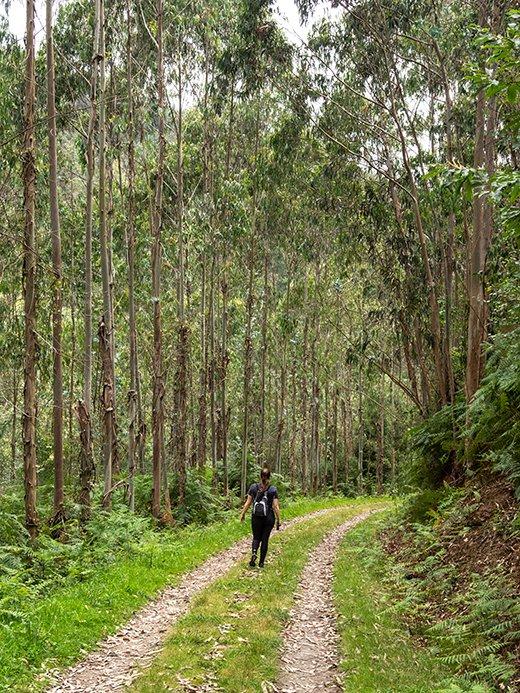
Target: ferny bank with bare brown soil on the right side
{"x":455,"y":572}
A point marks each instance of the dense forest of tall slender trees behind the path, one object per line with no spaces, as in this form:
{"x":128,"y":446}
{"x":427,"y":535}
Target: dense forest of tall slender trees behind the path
{"x":221,"y":248}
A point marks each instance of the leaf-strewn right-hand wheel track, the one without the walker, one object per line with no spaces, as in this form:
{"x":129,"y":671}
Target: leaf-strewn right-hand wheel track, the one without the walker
{"x":310,"y":656}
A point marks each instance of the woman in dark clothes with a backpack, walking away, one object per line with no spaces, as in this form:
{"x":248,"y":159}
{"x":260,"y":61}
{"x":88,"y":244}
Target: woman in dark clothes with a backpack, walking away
{"x":264,"y":499}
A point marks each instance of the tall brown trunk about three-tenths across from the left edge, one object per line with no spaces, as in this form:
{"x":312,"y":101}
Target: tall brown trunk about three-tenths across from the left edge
{"x":157,"y":221}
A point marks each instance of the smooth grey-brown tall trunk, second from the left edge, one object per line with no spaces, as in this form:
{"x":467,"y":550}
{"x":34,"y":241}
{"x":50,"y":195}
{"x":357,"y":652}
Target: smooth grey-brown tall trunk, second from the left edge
{"x":57,"y":298}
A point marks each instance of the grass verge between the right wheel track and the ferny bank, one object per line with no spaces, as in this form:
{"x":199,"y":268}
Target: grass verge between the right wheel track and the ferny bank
{"x":378,"y":653}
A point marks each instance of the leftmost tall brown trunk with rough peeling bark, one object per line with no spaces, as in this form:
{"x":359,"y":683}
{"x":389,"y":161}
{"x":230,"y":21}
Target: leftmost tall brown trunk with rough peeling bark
{"x":29,"y":279}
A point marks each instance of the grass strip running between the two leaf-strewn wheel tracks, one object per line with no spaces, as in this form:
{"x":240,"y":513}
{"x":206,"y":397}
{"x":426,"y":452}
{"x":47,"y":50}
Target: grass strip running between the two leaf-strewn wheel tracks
{"x":232,"y":634}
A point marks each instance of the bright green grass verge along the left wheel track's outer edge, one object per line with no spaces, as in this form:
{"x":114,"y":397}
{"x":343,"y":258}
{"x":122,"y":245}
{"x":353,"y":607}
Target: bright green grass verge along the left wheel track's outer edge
{"x":57,"y":630}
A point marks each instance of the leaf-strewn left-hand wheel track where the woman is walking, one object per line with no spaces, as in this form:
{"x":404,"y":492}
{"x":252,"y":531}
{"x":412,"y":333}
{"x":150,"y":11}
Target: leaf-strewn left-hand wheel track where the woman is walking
{"x":120,"y":657}
